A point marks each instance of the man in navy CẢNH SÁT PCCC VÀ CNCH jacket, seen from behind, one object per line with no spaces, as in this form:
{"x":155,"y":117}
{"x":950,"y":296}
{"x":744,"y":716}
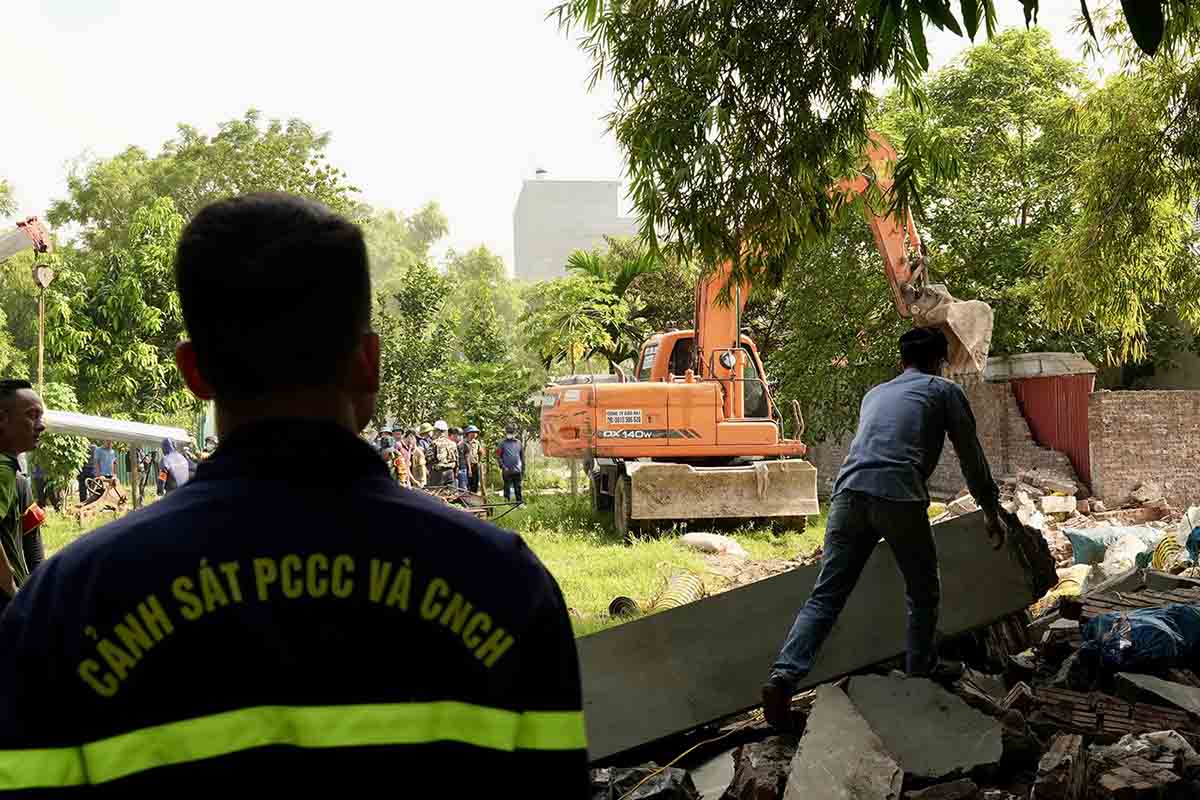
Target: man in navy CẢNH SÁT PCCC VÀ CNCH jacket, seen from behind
{"x":268,"y":628}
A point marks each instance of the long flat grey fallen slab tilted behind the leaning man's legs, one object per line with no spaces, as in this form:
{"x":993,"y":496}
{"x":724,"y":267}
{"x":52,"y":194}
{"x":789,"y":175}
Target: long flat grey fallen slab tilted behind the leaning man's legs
{"x":682,"y":669}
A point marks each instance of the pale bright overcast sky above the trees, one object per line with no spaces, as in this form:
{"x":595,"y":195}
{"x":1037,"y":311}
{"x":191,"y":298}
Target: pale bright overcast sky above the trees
{"x":455,"y":101}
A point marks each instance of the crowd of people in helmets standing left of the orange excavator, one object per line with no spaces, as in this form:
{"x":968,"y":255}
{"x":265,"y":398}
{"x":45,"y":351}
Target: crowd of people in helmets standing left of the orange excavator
{"x":436,"y":455}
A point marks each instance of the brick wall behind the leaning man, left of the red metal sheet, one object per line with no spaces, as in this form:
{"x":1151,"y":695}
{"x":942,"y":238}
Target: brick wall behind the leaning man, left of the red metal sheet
{"x":1004,"y":434}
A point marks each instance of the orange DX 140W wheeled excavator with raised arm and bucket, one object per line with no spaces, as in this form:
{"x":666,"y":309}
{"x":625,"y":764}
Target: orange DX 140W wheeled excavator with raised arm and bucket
{"x":695,"y":434}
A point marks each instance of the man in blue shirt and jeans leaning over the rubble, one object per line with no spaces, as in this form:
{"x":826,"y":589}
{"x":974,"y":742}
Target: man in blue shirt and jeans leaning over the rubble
{"x":881,"y":492}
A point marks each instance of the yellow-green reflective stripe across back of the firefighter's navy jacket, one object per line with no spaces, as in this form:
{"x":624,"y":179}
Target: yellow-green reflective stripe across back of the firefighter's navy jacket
{"x":297,"y":726}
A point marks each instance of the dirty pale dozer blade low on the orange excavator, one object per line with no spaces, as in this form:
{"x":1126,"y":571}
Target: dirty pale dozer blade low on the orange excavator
{"x":767,"y":489}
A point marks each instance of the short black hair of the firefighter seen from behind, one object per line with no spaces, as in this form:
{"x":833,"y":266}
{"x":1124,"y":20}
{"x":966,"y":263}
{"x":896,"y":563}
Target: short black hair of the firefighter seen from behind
{"x":275,"y":292}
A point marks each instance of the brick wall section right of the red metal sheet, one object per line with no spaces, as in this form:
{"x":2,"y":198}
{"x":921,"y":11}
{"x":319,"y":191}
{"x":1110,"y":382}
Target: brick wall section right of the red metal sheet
{"x":1145,"y":436}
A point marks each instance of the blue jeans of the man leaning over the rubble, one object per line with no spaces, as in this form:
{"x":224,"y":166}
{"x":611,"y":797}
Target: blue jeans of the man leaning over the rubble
{"x":856,"y":525}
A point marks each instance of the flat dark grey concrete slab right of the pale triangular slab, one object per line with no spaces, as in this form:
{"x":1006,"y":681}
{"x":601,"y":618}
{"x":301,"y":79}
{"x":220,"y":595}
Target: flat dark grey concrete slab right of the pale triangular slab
{"x":932,"y":732}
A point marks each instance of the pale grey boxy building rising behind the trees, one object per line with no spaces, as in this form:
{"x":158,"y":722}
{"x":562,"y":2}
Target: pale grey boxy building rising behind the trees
{"x":555,"y":218}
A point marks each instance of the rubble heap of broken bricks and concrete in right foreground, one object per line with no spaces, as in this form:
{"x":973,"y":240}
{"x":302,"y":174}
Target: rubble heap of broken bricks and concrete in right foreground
{"x":1097,"y":699}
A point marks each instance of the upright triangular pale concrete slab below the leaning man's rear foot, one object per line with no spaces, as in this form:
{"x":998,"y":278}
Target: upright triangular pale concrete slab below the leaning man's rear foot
{"x":841,"y":757}
